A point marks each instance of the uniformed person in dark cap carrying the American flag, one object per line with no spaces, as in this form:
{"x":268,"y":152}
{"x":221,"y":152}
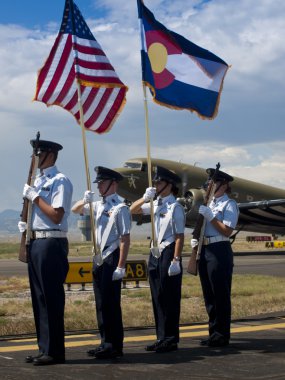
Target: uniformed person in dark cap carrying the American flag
{"x":113,"y":224}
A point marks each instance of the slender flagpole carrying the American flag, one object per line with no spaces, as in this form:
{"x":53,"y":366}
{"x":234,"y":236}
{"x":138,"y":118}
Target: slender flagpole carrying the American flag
{"x":92,"y":221}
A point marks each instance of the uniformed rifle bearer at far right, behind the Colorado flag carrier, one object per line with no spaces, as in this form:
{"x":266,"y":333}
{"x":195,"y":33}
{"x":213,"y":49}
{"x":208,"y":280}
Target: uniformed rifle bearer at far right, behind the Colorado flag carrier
{"x":216,"y":260}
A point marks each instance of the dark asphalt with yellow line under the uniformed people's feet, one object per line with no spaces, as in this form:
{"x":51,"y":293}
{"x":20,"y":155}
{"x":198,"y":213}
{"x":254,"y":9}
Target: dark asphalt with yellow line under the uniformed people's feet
{"x":256,"y":351}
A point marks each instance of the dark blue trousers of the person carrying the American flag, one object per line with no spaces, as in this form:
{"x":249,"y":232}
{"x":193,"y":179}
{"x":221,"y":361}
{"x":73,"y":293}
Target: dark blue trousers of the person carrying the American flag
{"x":108,"y":301}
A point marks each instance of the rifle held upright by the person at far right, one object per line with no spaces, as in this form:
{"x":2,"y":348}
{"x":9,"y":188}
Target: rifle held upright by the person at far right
{"x":199,"y":229}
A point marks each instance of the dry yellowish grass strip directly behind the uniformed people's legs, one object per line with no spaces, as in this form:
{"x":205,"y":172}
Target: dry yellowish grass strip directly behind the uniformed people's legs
{"x":251,"y":295}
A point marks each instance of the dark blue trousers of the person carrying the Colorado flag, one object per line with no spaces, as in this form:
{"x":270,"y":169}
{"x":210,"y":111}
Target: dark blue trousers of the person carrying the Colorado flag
{"x":166,"y":295}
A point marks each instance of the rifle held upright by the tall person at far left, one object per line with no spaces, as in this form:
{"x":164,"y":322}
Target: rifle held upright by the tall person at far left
{"x":26,"y":214}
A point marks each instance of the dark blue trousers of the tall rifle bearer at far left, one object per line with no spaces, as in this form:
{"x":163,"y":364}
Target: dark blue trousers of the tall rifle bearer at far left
{"x":48,"y":267}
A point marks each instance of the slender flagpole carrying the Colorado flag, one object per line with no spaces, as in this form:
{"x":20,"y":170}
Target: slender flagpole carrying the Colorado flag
{"x":154,"y":238}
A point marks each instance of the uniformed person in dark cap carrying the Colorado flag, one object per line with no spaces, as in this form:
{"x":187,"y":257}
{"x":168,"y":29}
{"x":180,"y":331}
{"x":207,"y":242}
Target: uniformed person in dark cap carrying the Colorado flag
{"x":164,"y":266}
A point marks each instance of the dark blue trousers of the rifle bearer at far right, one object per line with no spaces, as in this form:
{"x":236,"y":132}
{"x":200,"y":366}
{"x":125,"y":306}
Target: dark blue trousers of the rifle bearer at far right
{"x":215,"y":270}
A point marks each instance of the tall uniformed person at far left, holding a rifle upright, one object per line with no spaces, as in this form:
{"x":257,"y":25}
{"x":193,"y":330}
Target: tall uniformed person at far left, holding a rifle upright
{"x":48,"y":264}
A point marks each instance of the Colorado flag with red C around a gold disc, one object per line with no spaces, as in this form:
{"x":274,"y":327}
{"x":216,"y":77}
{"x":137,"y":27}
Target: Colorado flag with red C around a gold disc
{"x":179,"y":74}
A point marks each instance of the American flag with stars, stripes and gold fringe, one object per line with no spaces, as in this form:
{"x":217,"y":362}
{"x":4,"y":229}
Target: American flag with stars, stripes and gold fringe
{"x":76,"y":57}
